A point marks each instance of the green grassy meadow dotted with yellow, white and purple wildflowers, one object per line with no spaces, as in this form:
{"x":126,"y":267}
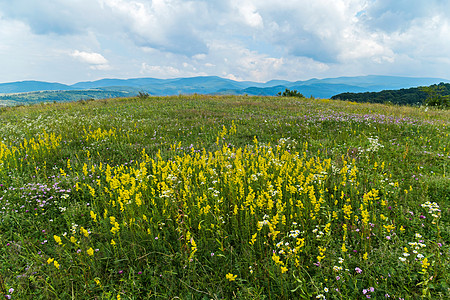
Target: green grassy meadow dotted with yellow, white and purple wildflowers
{"x":204,"y":197}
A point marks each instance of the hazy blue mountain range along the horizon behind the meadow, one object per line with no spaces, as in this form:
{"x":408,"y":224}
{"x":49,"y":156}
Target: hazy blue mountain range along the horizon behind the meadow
{"x":319,"y":88}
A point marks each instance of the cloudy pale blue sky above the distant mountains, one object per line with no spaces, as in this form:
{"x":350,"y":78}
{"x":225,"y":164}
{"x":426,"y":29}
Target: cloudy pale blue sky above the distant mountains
{"x":68,"y":41}
